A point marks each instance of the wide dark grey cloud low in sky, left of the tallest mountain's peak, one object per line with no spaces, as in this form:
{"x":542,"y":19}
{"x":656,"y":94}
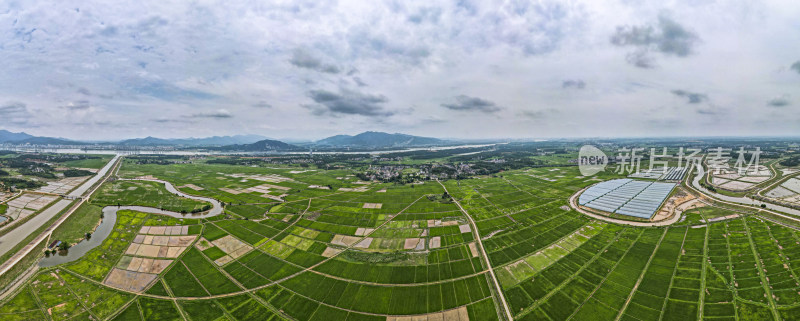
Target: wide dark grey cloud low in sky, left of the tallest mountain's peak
{"x":347,"y":102}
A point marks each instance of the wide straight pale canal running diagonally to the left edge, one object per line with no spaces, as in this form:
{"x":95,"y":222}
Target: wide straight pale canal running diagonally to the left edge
{"x":19,"y":233}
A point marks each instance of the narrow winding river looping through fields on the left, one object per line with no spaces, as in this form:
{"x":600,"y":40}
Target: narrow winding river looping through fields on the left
{"x":110,"y":219}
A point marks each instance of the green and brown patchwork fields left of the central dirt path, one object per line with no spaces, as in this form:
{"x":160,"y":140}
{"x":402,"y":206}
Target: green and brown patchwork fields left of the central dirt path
{"x":357,"y":255}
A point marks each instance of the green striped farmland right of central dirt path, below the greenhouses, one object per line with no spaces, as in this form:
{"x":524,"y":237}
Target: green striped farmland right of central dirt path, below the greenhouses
{"x":744,"y":268}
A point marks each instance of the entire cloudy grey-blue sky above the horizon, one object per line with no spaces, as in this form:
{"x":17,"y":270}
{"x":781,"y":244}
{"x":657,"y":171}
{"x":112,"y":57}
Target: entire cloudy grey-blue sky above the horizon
{"x":468,"y":69}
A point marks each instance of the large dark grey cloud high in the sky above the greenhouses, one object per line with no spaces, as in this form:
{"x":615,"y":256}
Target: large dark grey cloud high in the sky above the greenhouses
{"x":667,"y":37}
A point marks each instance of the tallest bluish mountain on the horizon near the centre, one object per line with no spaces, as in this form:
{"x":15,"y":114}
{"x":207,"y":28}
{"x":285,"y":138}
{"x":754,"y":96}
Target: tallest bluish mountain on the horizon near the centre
{"x":379,"y":140}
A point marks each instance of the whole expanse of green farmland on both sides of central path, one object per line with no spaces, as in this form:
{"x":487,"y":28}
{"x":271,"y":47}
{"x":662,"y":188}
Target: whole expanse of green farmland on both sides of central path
{"x":374,"y":251}
